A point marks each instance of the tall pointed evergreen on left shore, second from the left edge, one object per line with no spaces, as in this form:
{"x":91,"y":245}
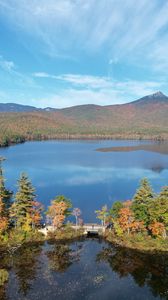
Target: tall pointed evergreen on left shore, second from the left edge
{"x":24,"y":201}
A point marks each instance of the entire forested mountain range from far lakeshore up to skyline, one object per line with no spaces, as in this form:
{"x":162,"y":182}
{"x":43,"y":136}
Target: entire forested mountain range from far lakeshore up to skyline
{"x":146,"y":118}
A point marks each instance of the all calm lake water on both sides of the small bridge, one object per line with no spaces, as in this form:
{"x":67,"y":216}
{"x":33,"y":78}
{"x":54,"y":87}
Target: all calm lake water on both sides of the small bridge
{"x":88,"y":269}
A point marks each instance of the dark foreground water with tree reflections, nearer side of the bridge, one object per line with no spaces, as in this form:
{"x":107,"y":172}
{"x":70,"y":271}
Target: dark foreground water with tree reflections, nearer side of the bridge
{"x":89,"y":269}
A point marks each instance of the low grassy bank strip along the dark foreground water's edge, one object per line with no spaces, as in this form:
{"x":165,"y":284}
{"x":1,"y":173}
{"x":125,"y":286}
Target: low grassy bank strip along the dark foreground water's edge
{"x":153,"y":246}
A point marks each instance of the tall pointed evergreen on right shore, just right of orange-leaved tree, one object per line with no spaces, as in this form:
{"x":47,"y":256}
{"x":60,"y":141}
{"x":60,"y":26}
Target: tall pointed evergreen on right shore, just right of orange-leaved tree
{"x":141,"y":202}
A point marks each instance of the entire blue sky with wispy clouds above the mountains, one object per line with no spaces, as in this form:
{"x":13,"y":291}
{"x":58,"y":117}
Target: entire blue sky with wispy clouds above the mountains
{"x":61,"y":53}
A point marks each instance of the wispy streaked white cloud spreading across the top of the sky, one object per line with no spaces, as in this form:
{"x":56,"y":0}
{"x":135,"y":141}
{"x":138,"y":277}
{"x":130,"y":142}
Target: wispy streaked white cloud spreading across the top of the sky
{"x":122,"y":29}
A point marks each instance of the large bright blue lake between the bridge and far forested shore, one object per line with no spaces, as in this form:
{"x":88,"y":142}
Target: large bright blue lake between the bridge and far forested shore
{"x":88,"y":177}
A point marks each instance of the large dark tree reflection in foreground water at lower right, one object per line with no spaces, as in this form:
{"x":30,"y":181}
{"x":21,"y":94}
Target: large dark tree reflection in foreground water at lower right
{"x":146,"y":269}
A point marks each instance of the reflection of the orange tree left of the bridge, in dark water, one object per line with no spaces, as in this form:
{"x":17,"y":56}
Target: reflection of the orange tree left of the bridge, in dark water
{"x":62,"y":256}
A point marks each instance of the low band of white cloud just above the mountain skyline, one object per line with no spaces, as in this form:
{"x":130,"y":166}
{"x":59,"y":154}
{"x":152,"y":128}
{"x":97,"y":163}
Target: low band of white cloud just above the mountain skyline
{"x":77,"y":89}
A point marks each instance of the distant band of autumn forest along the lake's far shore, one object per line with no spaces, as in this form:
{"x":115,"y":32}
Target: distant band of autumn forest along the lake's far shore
{"x":20,"y":127}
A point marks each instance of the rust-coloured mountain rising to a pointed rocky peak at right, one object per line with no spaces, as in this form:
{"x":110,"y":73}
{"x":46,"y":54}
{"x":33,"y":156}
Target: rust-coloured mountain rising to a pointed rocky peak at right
{"x":146,"y":109}
